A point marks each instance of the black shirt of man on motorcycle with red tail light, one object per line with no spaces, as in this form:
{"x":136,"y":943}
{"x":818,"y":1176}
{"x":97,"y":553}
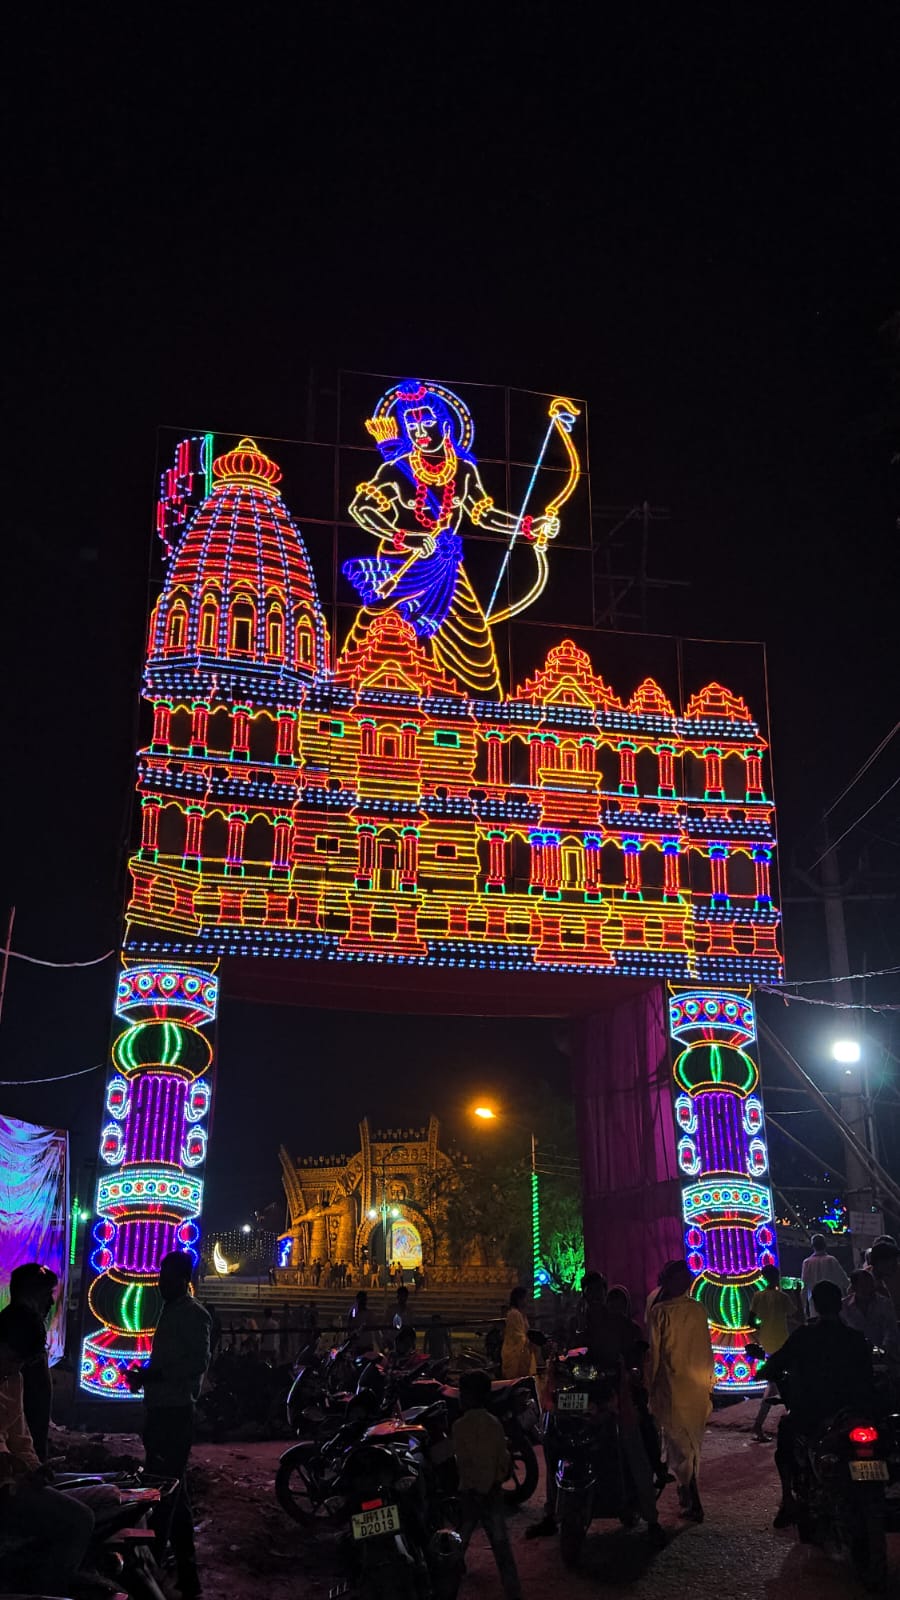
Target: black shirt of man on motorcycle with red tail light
{"x":829,"y":1369}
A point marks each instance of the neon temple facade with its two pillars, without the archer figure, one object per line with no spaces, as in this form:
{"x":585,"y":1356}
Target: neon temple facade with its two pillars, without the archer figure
{"x":358,"y":806}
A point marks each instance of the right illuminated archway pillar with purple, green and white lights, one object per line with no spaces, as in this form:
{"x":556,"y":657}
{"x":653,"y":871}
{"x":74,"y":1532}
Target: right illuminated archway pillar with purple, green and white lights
{"x":729,"y":1226}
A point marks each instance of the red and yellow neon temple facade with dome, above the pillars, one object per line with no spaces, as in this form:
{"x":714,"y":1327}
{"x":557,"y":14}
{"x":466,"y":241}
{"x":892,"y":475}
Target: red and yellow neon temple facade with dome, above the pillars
{"x":366,"y":809}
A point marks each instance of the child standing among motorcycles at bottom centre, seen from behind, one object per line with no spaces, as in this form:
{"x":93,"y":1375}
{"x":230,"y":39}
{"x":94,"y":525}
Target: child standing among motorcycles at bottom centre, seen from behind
{"x":483,"y":1458}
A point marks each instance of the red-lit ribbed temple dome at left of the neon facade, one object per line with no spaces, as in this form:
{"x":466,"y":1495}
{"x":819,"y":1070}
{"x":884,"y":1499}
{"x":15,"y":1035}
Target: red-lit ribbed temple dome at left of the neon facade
{"x":239,"y":602}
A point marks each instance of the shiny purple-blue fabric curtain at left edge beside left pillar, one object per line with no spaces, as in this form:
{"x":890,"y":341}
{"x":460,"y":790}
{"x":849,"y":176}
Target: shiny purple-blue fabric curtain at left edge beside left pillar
{"x":34,"y":1212}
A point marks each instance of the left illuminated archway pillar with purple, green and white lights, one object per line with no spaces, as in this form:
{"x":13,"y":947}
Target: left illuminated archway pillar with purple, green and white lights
{"x":153,"y":1153}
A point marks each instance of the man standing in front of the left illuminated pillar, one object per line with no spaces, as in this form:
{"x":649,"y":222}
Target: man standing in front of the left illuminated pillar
{"x":172,"y":1382}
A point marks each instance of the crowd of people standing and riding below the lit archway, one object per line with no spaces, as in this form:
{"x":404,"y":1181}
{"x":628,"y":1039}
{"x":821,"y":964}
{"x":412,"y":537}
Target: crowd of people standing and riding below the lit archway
{"x":818,"y":1345}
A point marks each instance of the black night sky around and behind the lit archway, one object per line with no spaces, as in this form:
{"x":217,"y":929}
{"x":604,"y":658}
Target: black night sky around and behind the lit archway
{"x":686,"y":217}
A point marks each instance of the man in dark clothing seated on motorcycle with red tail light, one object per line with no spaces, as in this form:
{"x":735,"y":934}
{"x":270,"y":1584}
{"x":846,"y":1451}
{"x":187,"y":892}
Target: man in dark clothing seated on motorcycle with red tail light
{"x":827,"y":1369}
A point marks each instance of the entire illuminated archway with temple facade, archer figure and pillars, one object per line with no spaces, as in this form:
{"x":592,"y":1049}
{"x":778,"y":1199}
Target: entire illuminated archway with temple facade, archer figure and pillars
{"x":380,"y":774}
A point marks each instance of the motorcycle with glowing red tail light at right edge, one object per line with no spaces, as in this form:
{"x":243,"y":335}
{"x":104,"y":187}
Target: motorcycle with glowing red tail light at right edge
{"x":840,"y":1490}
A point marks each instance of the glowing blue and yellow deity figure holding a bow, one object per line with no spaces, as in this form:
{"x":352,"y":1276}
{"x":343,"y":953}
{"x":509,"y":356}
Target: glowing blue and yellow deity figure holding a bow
{"x":416,"y":506}
